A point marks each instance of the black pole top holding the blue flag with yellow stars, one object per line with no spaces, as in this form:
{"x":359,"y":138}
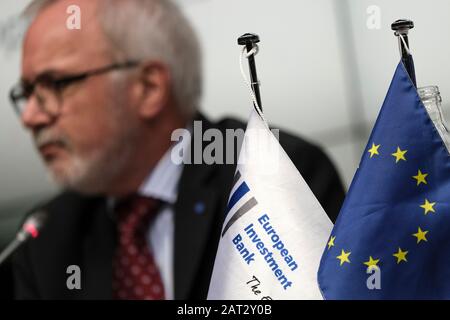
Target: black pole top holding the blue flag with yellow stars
{"x":401,"y":28}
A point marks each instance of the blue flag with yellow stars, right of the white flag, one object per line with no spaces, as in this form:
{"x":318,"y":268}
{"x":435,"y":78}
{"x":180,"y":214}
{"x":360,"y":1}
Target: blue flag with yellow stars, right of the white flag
{"x":397,"y":212}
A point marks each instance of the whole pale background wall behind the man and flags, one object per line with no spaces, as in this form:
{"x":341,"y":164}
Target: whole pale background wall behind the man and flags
{"x":323,"y":72}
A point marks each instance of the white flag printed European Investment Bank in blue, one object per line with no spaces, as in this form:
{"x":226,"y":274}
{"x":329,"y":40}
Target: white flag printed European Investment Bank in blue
{"x":274,"y":230}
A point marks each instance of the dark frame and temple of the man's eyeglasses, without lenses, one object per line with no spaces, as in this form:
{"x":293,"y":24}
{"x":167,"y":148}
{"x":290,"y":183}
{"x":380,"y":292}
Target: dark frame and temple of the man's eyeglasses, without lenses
{"x":24,"y":90}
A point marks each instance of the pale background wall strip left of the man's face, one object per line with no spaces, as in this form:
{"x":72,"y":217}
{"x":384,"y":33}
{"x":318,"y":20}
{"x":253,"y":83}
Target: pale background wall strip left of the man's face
{"x":21,"y":172}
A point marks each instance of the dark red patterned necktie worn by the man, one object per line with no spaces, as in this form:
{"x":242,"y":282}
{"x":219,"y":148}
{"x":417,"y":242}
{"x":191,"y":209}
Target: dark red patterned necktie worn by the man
{"x":135,"y":273}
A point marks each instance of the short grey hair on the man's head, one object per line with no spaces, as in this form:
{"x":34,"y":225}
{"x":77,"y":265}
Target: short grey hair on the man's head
{"x":151,"y":30}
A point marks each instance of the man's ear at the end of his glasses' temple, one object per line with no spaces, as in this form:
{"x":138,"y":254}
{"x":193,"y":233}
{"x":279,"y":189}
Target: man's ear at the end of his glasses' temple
{"x":154,"y":89}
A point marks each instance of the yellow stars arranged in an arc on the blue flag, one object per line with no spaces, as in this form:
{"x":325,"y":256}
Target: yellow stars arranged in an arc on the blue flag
{"x":420,"y":235}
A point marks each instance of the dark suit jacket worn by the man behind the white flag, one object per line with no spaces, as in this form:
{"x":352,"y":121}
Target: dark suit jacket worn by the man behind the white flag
{"x":80,"y":232}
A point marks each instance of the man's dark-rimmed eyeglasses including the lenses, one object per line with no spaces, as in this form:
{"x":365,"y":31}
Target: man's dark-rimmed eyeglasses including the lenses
{"x":48,"y":89}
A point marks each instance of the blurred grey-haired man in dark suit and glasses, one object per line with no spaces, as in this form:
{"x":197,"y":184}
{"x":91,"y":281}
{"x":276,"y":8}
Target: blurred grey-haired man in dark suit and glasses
{"x":101,"y":104}
